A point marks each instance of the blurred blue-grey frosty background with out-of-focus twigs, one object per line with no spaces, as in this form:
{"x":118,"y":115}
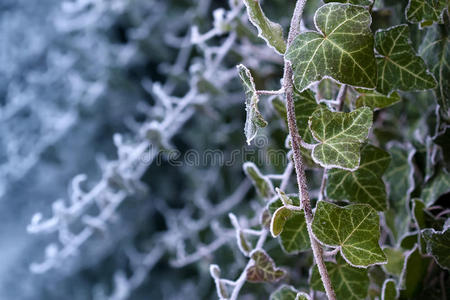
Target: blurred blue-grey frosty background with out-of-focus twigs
{"x":97,"y":87}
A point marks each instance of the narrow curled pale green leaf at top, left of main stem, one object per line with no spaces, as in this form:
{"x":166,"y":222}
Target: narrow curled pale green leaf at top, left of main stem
{"x":271,"y":32}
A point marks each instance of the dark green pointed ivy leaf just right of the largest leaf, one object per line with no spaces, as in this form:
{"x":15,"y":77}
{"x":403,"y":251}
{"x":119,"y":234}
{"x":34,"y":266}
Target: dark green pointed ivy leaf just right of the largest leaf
{"x":399,"y":68}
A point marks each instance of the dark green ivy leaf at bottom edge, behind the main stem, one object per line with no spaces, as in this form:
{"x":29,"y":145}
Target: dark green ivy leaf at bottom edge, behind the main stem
{"x":349,"y":283}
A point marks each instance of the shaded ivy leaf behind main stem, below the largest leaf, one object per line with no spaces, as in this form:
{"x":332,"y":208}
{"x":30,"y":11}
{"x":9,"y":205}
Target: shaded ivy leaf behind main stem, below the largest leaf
{"x":305,"y":104}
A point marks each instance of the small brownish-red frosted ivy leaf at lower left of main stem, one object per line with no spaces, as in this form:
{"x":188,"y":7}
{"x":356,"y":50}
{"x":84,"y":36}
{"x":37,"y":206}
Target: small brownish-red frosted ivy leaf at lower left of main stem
{"x":264,"y":269}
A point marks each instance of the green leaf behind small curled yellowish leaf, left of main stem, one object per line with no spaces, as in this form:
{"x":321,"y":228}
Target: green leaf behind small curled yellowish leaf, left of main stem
{"x":294,"y":237}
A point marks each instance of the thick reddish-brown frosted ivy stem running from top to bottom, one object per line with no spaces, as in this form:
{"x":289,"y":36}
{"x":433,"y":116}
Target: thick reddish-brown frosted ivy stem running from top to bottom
{"x":296,"y":140}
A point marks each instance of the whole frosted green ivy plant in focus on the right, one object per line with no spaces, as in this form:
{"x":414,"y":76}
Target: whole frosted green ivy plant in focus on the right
{"x":363,"y":107}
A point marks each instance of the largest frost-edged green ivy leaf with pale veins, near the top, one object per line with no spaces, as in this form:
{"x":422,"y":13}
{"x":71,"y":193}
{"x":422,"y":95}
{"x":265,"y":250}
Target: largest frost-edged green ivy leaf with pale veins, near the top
{"x":342,"y":48}
